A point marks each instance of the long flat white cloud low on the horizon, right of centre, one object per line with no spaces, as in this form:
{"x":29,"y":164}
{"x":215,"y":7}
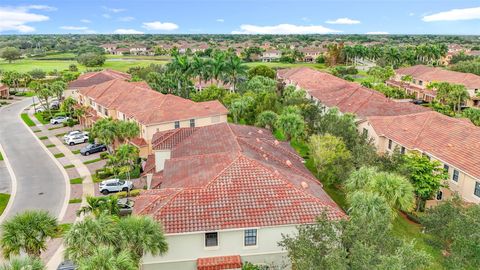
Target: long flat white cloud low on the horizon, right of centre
{"x":284,"y":29}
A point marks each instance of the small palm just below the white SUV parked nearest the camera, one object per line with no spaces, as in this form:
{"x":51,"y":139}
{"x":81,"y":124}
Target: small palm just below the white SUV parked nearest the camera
{"x":100,"y":205}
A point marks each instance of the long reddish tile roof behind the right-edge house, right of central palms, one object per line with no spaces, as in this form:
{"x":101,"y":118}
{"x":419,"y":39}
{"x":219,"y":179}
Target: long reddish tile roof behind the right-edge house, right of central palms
{"x":347,"y":96}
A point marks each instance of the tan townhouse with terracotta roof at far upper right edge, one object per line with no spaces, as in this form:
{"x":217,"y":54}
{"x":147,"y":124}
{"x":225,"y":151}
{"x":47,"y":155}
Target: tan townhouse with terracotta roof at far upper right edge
{"x":423,"y":75}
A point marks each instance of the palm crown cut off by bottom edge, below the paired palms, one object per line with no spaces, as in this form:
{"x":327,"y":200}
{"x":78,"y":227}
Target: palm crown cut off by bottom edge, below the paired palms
{"x":107,"y":258}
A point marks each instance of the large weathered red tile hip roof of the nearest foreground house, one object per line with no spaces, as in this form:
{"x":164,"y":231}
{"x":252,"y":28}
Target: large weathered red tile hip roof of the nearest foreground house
{"x":227,"y":176}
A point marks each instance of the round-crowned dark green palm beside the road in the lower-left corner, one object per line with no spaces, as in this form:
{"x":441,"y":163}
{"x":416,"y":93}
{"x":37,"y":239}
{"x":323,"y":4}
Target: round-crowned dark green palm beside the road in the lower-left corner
{"x":27,"y":232}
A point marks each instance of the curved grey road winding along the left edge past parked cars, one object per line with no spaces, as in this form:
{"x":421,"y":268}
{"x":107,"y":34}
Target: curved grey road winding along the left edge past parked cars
{"x":40,"y":184}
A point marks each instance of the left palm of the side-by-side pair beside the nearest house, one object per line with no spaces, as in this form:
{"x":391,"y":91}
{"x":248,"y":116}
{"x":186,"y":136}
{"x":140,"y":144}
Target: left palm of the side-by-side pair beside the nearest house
{"x":85,"y":236}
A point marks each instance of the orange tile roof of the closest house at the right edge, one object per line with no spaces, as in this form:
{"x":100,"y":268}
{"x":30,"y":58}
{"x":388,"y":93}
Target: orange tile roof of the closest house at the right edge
{"x":454,"y":141}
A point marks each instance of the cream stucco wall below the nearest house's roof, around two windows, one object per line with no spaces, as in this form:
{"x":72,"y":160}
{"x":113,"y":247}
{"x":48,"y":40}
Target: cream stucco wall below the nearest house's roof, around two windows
{"x":185,"y":249}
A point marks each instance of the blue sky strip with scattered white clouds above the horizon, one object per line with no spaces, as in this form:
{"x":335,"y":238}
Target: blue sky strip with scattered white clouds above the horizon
{"x":453,"y":17}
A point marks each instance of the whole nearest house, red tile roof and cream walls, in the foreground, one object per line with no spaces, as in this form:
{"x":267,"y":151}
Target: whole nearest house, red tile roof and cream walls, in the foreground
{"x":225,"y":194}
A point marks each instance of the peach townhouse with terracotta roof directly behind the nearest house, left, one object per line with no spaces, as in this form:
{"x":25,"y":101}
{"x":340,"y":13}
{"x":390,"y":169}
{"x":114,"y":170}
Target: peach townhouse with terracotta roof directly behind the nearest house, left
{"x":152,"y":111}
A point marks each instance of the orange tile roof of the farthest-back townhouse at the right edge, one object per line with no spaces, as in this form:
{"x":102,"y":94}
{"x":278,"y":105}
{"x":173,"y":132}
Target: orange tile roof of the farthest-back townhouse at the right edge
{"x":426,"y":73}
